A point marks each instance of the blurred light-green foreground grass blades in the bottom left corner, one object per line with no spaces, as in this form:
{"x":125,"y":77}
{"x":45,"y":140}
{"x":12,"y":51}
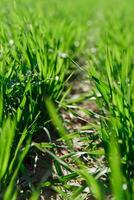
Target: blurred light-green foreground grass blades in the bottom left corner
{"x":12,"y":154}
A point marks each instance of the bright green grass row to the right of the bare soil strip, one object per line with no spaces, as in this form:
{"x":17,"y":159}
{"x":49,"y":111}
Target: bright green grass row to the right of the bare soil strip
{"x":114,"y":81}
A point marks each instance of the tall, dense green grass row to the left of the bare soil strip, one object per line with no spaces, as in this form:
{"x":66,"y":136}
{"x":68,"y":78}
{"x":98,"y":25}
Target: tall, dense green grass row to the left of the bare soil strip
{"x":34,"y":65}
